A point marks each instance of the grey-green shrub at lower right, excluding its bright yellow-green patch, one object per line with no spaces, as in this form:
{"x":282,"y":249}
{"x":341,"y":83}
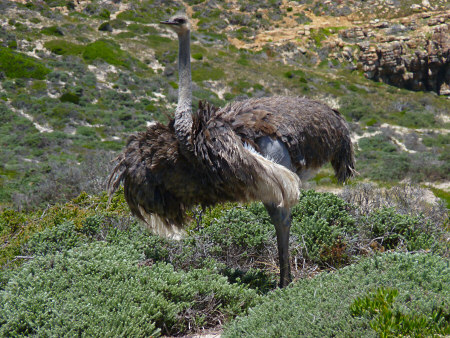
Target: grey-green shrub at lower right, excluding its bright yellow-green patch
{"x":321,"y":307}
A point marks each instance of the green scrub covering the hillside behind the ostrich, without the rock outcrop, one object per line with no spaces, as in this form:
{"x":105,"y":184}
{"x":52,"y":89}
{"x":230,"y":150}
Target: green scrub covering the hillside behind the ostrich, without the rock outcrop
{"x":76,"y":81}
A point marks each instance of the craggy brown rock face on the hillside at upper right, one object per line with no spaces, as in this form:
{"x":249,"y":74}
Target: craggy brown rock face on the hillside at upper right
{"x":412,"y":63}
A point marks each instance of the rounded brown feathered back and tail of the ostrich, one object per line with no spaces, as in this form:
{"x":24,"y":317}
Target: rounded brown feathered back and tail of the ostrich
{"x":312,"y":132}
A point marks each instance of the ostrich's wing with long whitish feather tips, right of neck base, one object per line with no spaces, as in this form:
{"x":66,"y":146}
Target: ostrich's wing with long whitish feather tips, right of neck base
{"x":235,"y":173}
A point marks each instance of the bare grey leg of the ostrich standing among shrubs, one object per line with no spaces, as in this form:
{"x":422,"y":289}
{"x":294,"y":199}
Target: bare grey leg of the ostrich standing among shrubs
{"x":281,"y":218}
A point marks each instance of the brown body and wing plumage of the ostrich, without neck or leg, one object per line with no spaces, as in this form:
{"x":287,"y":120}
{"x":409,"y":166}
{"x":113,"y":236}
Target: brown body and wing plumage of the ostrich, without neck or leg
{"x":161,"y":178}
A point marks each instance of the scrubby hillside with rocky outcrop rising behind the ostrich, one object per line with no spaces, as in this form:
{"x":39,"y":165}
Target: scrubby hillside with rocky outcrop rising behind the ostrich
{"x":77,"y":79}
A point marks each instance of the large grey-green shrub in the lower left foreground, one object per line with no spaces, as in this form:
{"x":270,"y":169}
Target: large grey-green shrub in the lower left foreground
{"x":101,"y":290}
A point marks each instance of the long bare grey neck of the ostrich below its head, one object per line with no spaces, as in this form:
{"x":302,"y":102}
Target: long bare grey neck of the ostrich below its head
{"x":183,"y":113}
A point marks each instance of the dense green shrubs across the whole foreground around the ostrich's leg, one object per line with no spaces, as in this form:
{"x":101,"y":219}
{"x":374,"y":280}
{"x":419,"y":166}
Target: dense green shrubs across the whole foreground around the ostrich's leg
{"x":86,"y":267}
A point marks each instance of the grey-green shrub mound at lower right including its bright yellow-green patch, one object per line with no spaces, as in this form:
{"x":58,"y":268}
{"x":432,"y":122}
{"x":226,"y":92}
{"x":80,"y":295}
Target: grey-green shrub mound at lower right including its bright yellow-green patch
{"x":384,"y":296}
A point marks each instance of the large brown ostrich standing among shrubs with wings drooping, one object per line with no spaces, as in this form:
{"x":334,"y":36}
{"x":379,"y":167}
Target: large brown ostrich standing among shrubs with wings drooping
{"x":253,"y":150}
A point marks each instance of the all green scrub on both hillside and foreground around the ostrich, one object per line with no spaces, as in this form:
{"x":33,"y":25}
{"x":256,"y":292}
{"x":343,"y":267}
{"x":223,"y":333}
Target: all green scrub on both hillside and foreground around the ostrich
{"x":77,"y":78}
